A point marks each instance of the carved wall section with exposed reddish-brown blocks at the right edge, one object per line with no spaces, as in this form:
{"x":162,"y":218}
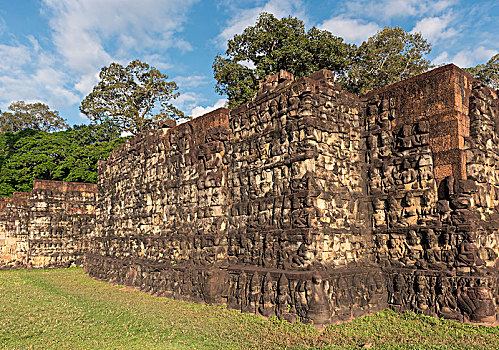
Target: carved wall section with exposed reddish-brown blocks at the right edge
{"x":425,"y":220}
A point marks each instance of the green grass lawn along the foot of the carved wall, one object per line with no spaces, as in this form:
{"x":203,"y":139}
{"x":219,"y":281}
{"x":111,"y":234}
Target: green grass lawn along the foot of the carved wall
{"x":61,"y":309}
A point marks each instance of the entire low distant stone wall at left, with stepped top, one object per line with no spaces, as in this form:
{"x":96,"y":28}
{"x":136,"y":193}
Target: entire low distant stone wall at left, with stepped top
{"x":47,"y":227}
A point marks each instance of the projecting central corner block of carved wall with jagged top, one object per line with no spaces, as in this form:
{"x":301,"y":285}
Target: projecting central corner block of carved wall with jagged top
{"x":298,"y":194}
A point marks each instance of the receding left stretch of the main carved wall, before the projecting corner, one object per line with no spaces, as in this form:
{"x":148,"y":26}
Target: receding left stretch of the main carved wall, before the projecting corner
{"x":162,"y":207}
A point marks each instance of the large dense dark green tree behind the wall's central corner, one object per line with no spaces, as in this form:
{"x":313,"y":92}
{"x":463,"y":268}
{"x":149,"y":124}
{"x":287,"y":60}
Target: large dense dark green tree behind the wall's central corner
{"x":271,"y":45}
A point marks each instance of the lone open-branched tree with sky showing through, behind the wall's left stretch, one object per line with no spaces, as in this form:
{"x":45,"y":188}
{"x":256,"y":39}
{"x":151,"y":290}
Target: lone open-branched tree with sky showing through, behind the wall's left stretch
{"x":136,"y":97}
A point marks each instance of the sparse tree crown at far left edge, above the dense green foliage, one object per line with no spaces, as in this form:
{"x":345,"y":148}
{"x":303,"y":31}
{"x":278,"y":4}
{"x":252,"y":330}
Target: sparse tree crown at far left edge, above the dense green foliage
{"x":35,"y":116}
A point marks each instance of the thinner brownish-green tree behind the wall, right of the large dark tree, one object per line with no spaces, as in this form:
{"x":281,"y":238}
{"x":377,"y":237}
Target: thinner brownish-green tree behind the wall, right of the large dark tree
{"x":387,"y":57}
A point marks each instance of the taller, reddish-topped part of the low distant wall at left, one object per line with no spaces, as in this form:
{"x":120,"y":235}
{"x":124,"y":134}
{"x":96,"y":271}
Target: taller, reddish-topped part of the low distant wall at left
{"x":61,"y":217}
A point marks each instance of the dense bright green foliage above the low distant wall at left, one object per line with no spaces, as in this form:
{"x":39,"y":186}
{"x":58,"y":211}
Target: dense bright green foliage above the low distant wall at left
{"x":70,"y":155}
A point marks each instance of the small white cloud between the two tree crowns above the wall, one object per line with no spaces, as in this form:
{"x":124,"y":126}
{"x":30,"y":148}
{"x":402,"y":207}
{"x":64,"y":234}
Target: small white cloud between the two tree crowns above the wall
{"x":352,"y":30}
